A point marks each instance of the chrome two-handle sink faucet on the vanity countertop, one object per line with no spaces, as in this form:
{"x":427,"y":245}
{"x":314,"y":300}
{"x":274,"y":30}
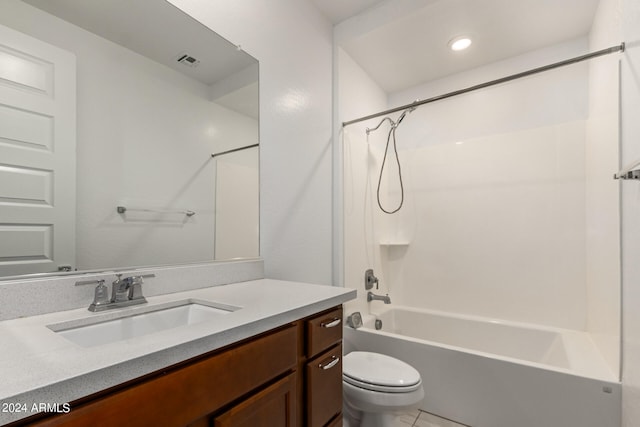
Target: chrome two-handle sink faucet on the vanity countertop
{"x":124,"y":292}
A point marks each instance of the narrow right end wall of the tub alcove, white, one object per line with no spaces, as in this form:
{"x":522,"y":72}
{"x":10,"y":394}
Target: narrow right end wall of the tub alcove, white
{"x":602,"y":192}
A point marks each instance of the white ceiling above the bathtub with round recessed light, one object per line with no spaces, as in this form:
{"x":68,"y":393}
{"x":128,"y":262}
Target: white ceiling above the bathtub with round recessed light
{"x":413,"y":48}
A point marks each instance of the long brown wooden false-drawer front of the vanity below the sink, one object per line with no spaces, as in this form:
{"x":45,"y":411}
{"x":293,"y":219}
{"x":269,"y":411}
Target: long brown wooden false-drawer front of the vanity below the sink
{"x":187,"y":393}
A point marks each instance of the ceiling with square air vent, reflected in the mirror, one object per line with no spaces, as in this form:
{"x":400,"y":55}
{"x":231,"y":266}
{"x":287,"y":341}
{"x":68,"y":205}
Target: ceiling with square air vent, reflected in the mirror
{"x":142,"y":27}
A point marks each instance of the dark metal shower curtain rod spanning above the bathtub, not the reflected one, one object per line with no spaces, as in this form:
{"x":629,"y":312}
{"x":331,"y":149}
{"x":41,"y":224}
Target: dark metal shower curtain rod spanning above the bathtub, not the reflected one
{"x":613,"y":49}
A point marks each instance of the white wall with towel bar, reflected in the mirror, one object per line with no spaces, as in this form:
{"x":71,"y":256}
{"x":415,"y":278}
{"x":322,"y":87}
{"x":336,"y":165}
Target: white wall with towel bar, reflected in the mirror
{"x":129,"y":139}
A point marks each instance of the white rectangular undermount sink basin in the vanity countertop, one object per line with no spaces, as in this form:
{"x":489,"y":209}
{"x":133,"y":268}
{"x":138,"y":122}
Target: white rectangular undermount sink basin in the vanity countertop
{"x":95,"y":332}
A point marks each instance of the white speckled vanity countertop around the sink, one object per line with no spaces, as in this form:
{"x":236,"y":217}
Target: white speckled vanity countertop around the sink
{"x":40,"y":366}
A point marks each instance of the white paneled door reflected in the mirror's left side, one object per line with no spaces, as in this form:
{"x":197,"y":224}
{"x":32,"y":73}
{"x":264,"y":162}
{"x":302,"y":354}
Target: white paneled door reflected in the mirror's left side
{"x":37,"y":155}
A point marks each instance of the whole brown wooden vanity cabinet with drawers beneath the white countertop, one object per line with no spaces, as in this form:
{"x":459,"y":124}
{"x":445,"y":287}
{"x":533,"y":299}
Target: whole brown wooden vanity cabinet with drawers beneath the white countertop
{"x":290,"y":376}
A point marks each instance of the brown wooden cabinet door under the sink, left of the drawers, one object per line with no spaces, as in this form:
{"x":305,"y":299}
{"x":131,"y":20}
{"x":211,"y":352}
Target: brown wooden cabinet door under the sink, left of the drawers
{"x":274,"y":406}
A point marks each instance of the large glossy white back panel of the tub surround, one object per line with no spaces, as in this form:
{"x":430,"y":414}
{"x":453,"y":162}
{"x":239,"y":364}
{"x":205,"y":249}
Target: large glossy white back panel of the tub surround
{"x":498,"y":226}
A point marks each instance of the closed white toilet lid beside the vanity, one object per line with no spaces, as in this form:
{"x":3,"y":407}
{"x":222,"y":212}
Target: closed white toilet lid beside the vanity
{"x":379,"y":372}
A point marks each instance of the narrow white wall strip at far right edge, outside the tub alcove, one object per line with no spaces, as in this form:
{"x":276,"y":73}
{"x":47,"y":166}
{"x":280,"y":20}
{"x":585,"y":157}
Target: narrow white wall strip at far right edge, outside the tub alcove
{"x":630,"y":151}
